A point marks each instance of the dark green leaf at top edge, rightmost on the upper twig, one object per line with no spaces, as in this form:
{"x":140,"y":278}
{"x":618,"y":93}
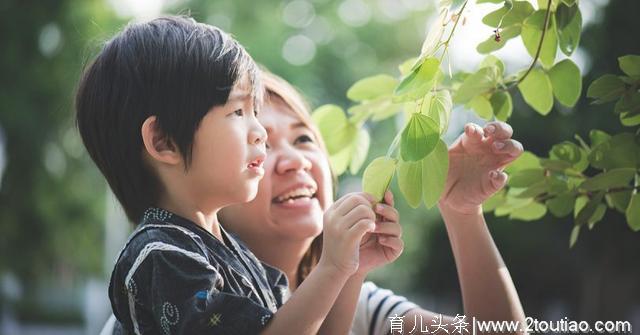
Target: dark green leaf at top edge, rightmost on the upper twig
{"x":569,"y":22}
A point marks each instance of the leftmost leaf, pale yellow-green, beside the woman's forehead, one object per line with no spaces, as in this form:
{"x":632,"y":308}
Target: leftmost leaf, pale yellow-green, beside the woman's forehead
{"x":336,"y":131}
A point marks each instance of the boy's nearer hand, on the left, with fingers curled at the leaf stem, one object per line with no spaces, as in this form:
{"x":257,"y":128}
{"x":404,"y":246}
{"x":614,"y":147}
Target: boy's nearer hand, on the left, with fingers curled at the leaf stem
{"x":345,"y":223}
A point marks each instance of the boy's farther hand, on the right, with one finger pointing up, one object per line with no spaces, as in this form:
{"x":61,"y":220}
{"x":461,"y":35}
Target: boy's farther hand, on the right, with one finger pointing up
{"x":383,"y":245}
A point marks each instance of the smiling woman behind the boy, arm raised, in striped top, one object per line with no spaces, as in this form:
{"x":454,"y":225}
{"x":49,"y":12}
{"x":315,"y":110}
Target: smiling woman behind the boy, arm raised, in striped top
{"x":283,"y":224}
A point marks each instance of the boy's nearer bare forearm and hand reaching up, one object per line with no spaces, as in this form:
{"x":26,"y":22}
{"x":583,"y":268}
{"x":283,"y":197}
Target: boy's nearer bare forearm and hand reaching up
{"x":345,"y":224}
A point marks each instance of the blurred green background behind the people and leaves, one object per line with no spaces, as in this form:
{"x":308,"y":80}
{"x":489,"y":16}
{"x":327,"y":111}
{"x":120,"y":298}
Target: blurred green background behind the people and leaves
{"x":60,"y":229}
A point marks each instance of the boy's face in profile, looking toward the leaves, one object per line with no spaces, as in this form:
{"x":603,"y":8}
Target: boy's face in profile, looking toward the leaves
{"x":228,"y":151}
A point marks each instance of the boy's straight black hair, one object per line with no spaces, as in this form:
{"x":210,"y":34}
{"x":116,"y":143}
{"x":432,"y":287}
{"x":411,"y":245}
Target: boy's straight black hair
{"x":172,"y":67}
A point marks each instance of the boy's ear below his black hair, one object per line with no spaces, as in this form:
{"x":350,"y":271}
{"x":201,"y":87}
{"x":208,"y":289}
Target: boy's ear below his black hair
{"x":159,"y":146}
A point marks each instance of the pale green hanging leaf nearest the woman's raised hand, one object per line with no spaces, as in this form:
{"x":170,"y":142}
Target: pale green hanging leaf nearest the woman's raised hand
{"x":434,"y":174}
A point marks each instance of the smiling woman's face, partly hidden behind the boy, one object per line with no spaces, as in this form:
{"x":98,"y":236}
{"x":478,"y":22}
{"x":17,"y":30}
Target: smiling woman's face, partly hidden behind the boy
{"x":296,"y":187}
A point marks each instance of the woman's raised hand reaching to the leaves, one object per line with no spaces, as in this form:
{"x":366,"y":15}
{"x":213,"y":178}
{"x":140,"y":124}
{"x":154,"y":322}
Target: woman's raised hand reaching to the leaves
{"x":476,"y":161}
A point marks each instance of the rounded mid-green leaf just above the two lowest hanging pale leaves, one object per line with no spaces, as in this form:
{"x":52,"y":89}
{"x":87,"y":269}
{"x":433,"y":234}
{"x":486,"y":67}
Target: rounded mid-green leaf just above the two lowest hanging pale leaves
{"x":419,"y":137}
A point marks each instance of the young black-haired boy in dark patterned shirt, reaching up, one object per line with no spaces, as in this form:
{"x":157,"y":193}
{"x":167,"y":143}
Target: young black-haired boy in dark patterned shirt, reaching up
{"x":167,"y":112}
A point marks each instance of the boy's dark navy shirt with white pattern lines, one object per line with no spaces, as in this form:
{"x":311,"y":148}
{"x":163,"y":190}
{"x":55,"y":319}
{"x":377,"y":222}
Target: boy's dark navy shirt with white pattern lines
{"x":173,"y":277}
